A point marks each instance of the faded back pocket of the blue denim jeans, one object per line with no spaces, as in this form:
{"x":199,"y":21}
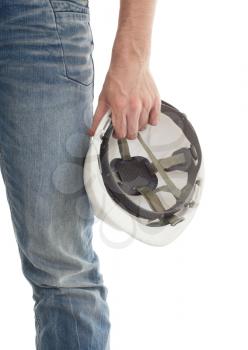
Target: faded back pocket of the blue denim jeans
{"x":77,"y":44}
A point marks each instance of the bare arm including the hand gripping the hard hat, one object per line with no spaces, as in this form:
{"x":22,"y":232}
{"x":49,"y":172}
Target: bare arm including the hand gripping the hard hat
{"x":129,"y":89}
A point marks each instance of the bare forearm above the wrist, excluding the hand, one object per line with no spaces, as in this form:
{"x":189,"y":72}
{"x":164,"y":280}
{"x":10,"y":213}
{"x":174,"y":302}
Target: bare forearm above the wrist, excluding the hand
{"x":133,"y":37}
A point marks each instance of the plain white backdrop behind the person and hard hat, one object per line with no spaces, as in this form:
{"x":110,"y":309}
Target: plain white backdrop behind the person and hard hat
{"x":191,"y":294}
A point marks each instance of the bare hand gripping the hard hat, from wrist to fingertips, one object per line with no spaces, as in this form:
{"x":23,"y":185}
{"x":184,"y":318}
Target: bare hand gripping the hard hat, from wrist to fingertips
{"x":131,"y":94}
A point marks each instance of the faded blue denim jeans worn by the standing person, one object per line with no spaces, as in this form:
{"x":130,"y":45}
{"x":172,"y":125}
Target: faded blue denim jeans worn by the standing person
{"x":46,"y":95}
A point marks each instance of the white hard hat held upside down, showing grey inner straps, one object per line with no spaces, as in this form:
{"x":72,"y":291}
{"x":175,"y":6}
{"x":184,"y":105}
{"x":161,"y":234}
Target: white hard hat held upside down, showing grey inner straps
{"x":149,"y":187}
